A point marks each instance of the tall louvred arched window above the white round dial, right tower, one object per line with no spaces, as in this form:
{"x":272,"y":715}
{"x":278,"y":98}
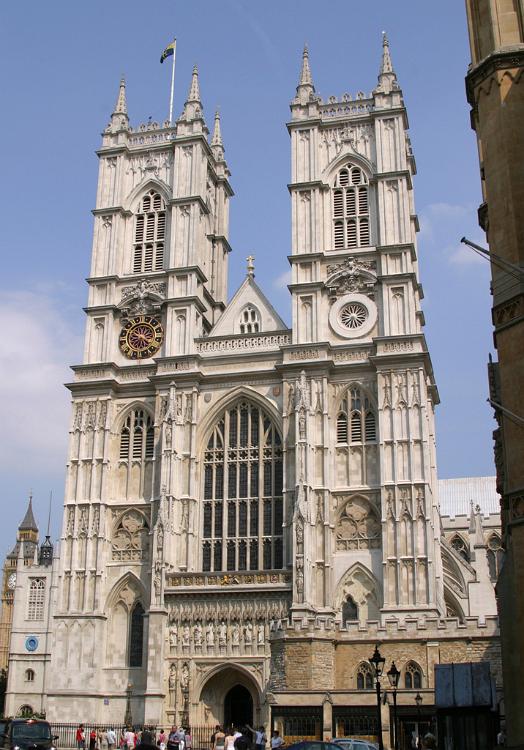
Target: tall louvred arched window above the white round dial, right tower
{"x":351,"y":209}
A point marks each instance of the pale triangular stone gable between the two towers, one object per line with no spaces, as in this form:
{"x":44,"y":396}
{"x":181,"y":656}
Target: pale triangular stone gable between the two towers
{"x":248,"y":293}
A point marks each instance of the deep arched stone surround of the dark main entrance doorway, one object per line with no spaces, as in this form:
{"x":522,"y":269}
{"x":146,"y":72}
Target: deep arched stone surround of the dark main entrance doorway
{"x":213,"y":686}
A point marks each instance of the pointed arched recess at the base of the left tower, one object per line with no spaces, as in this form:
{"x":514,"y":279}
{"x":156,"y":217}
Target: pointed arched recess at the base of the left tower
{"x":121,"y":603}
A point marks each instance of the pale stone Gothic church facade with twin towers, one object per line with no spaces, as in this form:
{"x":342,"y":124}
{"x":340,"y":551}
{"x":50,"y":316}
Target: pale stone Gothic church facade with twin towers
{"x":250,"y":508}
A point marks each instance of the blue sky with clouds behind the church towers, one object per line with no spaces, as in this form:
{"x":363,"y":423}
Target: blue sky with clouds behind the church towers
{"x":60,"y":66}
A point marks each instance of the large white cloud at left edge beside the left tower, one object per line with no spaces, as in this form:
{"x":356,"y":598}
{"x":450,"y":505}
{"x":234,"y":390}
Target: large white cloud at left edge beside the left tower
{"x":39,"y":345}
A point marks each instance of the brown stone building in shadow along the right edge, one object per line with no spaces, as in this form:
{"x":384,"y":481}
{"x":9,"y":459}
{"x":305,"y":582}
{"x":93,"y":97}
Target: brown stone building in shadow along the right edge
{"x":494,"y":91}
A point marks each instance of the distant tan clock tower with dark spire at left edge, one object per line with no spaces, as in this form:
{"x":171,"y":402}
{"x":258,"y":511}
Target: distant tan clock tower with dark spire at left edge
{"x":28,"y":536}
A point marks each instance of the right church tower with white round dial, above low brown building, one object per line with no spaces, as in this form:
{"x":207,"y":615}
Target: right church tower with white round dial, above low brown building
{"x":357,"y":318}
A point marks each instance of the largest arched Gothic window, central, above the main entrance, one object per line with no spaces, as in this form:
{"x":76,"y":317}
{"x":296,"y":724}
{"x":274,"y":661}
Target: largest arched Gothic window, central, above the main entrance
{"x":243,"y":505}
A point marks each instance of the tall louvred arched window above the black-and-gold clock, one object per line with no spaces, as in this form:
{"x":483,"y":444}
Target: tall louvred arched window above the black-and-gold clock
{"x":150,"y":227}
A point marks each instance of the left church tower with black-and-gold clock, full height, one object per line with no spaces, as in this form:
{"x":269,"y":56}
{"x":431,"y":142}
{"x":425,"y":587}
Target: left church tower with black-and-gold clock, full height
{"x":158,"y":282}
